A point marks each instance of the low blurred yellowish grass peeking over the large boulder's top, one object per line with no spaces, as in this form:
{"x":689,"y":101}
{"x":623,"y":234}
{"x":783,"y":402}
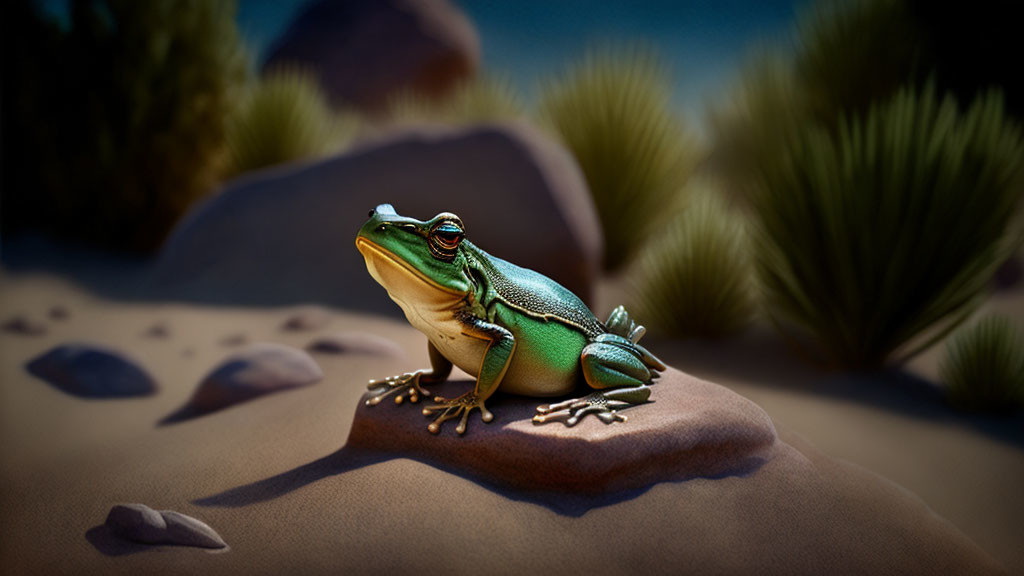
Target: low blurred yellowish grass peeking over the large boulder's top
{"x":479,"y":100}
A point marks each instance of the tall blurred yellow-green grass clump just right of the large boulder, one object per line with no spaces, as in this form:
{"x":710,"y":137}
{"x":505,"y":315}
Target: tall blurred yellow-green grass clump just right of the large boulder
{"x":614,"y":112}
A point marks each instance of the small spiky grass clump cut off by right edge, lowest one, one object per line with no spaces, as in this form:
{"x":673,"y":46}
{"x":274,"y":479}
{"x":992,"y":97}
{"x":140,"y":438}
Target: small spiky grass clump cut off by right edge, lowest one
{"x":985,"y":366}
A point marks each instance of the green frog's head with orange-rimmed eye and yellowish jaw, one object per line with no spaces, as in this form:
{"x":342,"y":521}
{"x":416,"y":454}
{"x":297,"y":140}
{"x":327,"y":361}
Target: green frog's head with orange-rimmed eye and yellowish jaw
{"x":409,"y":257}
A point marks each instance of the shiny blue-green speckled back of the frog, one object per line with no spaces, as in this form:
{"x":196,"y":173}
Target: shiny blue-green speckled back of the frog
{"x":535,"y":294}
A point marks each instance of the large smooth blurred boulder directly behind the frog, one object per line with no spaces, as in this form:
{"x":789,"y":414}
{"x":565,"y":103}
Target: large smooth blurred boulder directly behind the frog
{"x":286,"y":237}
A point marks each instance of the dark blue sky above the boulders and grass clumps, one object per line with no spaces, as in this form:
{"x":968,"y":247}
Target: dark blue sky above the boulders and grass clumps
{"x":704,"y":40}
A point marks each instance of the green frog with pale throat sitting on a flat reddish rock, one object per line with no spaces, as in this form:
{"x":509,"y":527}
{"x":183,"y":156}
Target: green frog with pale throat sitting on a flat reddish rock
{"x":509,"y":327}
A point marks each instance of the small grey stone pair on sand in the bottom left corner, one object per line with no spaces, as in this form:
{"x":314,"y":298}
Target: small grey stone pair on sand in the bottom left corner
{"x":143,"y":524}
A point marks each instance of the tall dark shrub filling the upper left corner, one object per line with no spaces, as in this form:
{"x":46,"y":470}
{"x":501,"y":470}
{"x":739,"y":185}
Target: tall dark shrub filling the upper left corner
{"x":132,"y":116}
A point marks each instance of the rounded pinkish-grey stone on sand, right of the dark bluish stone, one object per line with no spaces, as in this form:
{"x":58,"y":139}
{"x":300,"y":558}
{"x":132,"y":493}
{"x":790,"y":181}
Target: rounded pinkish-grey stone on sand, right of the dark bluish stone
{"x":258,"y":371}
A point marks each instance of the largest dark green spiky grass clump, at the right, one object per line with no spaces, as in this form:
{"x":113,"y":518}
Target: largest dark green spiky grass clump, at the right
{"x":890,"y":227}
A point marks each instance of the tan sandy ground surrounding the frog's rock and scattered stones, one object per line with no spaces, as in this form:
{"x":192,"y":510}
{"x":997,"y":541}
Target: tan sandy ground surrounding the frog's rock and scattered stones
{"x":65,"y":462}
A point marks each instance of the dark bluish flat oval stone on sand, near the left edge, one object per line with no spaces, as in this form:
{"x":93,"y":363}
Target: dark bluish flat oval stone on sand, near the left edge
{"x":90,"y":372}
